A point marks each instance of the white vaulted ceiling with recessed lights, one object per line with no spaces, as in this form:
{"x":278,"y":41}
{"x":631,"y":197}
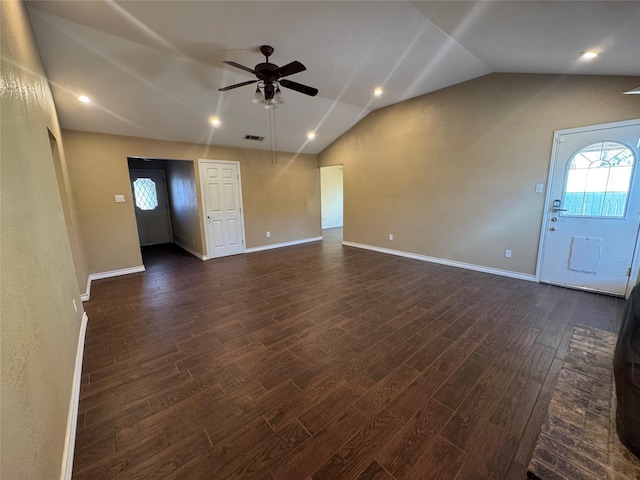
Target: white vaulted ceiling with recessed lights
{"x":153,"y":68}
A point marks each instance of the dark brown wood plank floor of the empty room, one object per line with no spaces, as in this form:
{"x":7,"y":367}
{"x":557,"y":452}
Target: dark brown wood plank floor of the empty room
{"x":320,"y":361}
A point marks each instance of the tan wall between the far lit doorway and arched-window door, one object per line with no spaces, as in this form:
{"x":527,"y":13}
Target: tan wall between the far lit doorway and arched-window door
{"x":452,"y":174}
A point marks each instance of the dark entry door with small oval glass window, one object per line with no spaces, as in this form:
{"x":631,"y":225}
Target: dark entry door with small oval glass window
{"x":151,"y":207}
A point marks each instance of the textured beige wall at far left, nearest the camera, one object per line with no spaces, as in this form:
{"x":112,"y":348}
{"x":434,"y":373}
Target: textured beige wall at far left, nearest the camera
{"x":39,"y":326}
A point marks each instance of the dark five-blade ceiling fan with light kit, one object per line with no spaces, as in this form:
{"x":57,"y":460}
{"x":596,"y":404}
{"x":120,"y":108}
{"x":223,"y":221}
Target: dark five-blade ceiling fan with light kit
{"x":270,"y":78}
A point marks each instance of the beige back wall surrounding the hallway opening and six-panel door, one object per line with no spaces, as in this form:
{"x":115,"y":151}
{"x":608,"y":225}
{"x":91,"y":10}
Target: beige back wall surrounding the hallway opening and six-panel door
{"x":283,"y":198}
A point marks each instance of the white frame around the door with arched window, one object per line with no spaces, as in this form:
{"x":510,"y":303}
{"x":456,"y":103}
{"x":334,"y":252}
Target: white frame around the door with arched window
{"x":635,"y":261}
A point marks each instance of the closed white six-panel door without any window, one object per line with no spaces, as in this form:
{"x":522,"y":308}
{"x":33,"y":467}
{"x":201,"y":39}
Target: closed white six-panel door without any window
{"x":223,"y":208}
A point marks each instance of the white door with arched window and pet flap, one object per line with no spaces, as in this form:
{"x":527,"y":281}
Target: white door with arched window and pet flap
{"x":593,"y":212}
